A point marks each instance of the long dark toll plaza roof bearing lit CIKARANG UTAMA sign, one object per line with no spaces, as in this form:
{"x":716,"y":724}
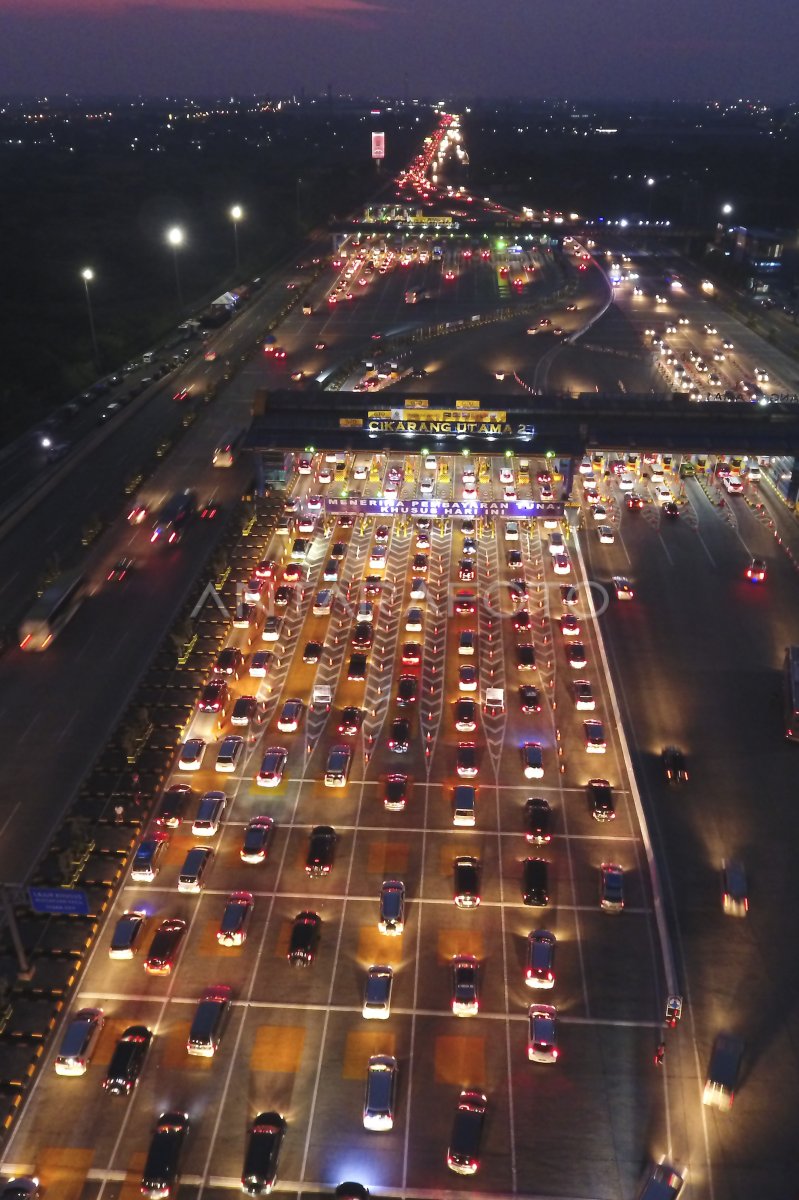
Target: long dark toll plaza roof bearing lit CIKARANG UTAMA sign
{"x":404,"y":423}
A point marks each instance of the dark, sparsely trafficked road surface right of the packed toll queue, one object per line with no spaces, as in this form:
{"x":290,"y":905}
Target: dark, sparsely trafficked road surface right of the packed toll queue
{"x":696,"y":662}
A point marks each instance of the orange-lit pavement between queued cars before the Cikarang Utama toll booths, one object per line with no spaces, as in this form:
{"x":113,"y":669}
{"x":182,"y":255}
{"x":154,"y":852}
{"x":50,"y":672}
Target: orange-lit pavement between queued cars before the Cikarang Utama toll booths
{"x":298,"y":1041}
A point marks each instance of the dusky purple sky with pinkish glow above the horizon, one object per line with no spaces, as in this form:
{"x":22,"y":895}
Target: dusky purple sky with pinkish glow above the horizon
{"x":618,"y":50}
